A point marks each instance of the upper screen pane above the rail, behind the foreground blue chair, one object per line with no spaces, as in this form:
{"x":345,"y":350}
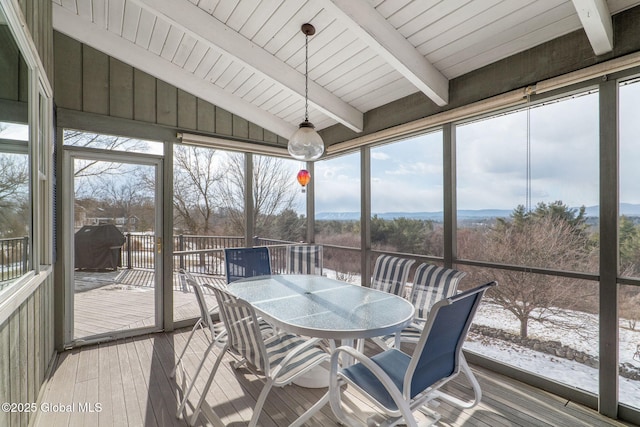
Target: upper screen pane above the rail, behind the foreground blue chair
{"x":528,"y":186}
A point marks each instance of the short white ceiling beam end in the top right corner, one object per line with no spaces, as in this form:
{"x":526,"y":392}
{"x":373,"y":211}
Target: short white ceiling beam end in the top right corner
{"x":596,"y":21}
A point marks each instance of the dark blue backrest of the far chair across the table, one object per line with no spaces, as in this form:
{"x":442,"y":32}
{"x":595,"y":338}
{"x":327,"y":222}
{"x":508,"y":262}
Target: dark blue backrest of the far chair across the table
{"x":246,"y":262}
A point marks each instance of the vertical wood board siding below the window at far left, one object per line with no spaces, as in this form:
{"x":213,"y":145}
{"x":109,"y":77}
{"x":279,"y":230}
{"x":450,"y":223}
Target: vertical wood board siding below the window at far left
{"x":26,"y":351}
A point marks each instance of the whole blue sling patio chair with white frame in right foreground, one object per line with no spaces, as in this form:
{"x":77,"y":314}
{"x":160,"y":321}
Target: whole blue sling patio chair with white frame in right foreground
{"x":399,"y":384}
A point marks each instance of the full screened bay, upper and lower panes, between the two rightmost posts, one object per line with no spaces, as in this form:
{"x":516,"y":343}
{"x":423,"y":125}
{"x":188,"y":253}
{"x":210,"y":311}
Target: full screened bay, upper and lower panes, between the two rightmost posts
{"x":527,"y":195}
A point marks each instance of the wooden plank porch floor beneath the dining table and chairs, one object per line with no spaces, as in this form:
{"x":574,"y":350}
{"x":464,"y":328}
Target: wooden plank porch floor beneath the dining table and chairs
{"x":129,"y":380}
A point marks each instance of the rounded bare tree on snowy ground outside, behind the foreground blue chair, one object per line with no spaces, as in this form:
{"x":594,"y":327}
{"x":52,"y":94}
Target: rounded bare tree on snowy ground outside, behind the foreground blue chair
{"x":536,"y":240}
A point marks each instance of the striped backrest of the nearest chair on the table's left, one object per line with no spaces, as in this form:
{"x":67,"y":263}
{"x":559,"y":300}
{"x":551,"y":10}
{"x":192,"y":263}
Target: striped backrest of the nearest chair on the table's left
{"x":243,"y":328}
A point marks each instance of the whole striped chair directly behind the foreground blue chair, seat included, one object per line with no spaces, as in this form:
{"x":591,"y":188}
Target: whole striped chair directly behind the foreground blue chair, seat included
{"x":431,"y":284}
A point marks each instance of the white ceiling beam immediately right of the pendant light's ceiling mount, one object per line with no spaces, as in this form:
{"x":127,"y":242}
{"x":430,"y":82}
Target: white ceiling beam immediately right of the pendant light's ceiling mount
{"x":381,"y":36}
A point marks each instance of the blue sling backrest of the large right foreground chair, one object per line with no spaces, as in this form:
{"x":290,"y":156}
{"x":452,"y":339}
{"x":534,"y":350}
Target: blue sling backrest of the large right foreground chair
{"x":437,"y":353}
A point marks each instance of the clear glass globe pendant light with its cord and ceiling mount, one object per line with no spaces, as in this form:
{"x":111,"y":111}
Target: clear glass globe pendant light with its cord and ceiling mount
{"x":305,"y":144}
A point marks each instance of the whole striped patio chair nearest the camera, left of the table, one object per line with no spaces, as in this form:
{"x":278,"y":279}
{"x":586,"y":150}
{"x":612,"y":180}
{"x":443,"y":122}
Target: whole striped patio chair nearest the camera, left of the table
{"x":280,"y":358}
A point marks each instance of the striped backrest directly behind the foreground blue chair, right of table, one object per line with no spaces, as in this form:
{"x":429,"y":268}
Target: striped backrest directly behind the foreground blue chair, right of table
{"x":432,"y":283}
